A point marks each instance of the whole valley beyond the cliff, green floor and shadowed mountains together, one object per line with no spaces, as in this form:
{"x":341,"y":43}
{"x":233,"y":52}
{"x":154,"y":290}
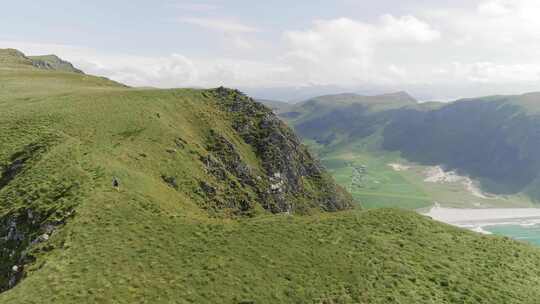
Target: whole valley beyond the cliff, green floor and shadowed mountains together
{"x":390,"y":150}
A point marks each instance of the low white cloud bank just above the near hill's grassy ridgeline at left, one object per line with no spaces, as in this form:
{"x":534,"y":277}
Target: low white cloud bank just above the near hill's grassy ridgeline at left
{"x":180,"y":71}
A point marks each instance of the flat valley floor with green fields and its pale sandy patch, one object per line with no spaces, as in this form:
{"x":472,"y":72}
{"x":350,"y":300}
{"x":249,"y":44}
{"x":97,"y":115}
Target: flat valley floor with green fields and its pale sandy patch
{"x":384,"y":179}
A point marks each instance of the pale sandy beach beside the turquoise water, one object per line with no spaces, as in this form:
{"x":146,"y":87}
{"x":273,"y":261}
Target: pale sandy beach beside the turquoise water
{"x":477,"y":219}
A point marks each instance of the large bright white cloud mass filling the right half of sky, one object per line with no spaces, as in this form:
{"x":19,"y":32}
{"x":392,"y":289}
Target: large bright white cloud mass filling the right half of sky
{"x":495,"y":45}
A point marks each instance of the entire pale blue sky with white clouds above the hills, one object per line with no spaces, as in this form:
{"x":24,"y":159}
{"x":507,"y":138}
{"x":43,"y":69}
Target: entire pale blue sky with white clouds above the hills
{"x":435,"y":50}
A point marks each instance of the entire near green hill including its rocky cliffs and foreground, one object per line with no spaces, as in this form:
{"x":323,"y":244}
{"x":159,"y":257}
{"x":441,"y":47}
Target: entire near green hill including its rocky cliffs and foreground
{"x":217,"y":203}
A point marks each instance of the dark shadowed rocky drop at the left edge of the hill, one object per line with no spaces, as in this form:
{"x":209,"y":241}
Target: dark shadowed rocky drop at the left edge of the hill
{"x":24,"y":226}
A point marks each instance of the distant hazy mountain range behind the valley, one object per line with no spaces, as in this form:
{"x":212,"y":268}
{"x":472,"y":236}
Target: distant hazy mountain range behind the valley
{"x":493,"y":139}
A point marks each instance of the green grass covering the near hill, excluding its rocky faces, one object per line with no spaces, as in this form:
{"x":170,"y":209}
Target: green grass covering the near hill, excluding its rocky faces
{"x":148,"y":243}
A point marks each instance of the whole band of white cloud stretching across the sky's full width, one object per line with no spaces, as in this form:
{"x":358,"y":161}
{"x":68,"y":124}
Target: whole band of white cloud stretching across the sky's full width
{"x":493,"y":46}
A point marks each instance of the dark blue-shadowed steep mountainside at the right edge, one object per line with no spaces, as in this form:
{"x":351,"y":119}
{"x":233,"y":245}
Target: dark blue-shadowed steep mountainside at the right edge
{"x":494,"y":139}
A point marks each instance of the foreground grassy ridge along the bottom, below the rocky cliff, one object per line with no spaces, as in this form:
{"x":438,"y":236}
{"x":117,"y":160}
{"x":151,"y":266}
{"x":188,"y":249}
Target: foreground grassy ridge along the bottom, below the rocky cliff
{"x":119,"y":251}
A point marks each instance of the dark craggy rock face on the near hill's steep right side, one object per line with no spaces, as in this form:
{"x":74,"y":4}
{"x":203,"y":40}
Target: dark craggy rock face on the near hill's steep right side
{"x":294,"y":181}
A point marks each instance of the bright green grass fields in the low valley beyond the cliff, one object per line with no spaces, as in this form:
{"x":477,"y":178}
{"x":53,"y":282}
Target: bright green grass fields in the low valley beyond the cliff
{"x":381,"y":186}
